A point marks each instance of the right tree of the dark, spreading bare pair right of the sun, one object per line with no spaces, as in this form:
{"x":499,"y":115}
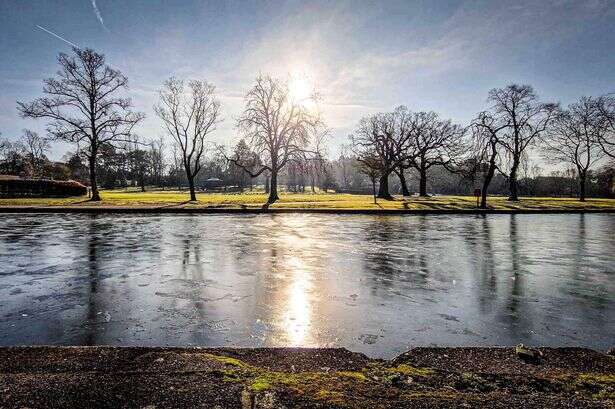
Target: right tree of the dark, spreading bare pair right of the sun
{"x":434,"y":142}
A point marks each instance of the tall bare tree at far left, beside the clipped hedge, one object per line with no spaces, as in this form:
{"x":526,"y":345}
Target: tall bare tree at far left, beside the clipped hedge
{"x":83,"y":105}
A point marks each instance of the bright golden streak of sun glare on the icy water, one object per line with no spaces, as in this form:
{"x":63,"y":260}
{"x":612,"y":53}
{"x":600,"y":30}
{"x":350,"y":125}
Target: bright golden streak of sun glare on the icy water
{"x":288,"y":283}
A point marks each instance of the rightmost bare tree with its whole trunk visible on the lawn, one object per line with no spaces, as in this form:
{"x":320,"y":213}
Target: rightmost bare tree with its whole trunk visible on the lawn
{"x":574,"y":138}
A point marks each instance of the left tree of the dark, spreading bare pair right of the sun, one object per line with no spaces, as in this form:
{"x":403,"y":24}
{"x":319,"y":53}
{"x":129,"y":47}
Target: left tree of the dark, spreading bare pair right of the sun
{"x":389,"y":136}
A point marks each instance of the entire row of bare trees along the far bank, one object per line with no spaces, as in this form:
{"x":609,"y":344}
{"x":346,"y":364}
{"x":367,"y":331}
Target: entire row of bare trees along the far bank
{"x":282,"y":142}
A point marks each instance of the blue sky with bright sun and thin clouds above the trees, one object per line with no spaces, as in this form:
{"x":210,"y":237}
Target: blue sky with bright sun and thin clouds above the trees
{"x":362,"y":56}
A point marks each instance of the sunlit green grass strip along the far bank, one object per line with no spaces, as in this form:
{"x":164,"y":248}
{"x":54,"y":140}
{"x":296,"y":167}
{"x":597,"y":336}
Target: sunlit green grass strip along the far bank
{"x":306,"y":200}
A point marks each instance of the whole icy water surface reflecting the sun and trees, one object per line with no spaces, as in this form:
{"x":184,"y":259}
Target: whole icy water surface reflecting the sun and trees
{"x":373,"y":284}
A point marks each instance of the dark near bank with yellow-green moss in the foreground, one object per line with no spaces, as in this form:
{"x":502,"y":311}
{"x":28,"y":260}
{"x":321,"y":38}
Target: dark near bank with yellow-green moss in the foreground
{"x":304,"y":378}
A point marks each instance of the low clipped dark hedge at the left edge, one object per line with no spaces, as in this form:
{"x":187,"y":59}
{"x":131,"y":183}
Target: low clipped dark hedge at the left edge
{"x":13,"y":188}
